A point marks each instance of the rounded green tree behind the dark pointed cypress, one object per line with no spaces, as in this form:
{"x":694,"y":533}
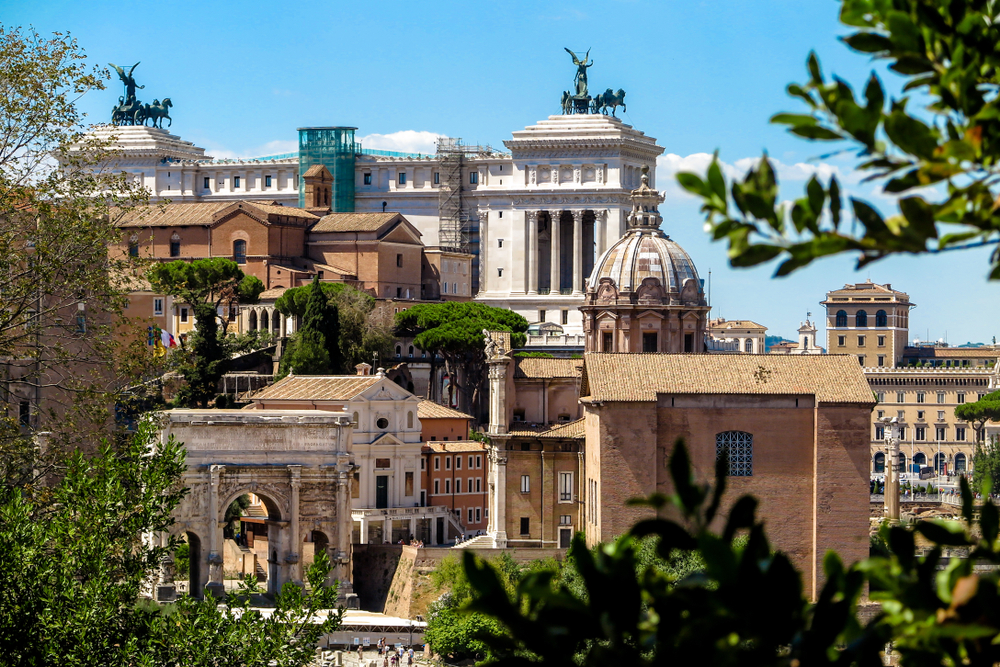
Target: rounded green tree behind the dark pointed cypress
{"x":365,"y":331}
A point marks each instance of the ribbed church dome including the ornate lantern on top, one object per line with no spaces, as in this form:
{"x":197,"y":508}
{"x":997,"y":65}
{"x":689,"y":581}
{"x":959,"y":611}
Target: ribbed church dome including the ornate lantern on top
{"x":646,"y":253}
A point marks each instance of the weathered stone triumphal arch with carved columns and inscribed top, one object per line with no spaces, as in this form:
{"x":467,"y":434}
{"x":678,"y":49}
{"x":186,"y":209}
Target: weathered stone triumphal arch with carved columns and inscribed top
{"x":298,"y":463}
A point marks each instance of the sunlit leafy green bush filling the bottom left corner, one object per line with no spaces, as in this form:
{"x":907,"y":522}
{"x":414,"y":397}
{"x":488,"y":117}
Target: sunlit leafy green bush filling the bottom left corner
{"x":74,"y":566}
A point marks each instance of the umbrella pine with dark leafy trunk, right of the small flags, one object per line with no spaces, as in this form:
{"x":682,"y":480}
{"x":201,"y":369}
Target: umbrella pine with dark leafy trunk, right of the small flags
{"x":205,"y":284}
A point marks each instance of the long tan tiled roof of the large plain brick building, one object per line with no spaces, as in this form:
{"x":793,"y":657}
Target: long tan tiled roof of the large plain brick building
{"x":640,"y":377}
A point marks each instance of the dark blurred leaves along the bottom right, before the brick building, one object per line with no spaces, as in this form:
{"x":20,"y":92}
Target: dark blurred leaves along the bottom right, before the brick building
{"x":746,"y":606}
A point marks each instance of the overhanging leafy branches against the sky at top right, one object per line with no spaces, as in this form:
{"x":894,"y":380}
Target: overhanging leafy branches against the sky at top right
{"x":948,"y":55}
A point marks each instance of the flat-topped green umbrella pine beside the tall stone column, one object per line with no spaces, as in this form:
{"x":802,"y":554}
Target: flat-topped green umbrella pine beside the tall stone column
{"x":454,"y":330}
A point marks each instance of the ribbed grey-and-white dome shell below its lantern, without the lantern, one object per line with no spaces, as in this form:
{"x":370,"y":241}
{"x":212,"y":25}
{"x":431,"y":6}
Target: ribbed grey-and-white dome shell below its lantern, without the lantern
{"x":640,"y":254}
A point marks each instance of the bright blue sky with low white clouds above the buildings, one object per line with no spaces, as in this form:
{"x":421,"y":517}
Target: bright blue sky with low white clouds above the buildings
{"x":699,"y":76}
